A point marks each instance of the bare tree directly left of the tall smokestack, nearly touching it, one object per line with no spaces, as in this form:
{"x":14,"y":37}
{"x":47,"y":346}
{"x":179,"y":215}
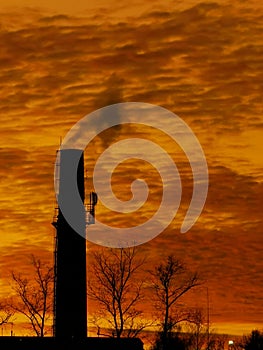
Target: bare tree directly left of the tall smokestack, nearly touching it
{"x":35,"y":295}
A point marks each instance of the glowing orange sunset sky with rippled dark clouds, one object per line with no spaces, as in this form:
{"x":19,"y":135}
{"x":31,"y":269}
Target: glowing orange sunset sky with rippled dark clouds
{"x":60,"y":61}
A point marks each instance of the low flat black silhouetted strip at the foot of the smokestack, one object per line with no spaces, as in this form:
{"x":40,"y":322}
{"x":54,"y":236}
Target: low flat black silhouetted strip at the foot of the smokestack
{"x":50,"y":343}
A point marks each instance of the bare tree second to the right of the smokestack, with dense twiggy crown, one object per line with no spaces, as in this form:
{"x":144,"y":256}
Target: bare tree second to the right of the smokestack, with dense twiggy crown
{"x":171,"y":281}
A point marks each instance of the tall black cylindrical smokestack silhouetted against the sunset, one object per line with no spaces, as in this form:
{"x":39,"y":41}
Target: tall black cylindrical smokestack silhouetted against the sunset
{"x":70,"y":299}
